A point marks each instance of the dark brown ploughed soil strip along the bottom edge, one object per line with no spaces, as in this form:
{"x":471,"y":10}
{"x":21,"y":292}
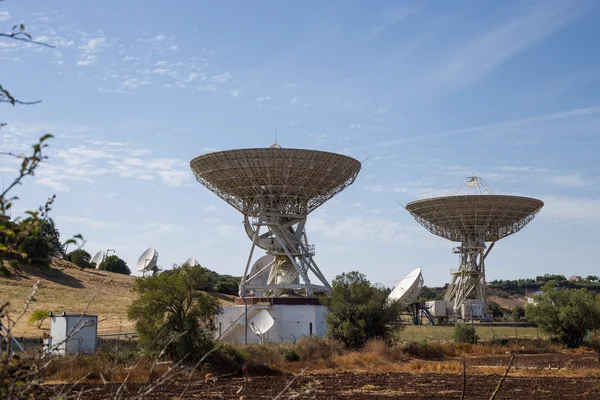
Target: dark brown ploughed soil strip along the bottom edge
{"x":368,"y":386}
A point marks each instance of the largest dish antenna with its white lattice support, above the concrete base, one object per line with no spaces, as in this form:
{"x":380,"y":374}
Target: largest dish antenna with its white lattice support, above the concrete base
{"x":275,"y":189}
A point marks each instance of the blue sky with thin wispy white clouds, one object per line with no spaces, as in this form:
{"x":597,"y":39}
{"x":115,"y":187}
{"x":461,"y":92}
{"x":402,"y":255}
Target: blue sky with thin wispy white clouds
{"x":427,"y":92}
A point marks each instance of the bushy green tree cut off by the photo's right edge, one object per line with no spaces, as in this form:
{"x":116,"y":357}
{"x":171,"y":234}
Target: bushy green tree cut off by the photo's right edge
{"x":568,"y":314}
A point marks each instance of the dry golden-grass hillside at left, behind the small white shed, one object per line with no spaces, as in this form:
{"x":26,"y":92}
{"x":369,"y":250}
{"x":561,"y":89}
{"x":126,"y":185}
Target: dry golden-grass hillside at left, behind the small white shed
{"x":65,"y":287}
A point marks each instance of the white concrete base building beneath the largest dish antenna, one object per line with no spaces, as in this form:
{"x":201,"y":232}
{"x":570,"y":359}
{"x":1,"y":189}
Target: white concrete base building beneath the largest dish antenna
{"x":294,"y":317}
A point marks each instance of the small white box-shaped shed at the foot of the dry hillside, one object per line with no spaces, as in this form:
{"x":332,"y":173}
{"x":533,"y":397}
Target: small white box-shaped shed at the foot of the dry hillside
{"x":72,"y":334}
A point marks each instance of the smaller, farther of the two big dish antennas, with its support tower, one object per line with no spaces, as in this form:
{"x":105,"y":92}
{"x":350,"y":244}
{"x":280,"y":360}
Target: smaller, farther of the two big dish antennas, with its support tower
{"x":473,"y":219}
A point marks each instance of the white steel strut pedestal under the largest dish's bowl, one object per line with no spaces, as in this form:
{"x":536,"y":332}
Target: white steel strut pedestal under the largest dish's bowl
{"x":284,"y":239}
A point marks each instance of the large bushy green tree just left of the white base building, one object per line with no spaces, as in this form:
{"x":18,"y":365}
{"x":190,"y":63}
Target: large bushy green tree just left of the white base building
{"x":173,"y":312}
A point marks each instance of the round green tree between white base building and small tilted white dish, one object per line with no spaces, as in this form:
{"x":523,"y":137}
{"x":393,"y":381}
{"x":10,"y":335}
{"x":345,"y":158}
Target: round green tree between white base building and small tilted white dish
{"x":359,"y":311}
